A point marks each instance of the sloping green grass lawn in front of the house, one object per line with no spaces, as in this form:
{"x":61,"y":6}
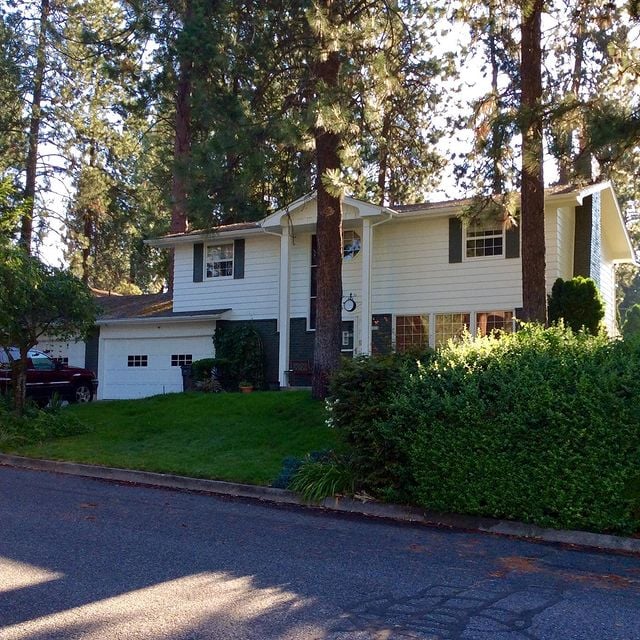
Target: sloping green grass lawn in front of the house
{"x":226,"y":436}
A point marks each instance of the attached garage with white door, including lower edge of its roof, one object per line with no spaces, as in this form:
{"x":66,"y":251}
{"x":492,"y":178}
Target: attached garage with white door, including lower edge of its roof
{"x":141,"y":356}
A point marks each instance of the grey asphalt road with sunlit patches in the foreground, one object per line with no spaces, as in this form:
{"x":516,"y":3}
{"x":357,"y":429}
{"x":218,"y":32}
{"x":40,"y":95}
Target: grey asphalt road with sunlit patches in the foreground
{"x":87,"y":559}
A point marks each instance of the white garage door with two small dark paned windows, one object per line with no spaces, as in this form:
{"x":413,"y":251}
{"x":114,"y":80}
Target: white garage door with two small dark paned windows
{"x":138,"y":368}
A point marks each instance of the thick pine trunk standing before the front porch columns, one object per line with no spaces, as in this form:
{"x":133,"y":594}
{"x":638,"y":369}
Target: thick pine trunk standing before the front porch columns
{"x":329,"y":237}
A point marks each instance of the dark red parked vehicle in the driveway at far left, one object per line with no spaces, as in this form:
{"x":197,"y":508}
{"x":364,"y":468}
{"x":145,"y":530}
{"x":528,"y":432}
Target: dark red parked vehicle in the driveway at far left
{"x":46,"y":376}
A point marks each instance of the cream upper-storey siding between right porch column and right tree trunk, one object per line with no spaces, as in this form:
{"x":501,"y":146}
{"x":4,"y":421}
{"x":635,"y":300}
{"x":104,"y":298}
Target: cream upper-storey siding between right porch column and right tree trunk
{"x":411,"y":273}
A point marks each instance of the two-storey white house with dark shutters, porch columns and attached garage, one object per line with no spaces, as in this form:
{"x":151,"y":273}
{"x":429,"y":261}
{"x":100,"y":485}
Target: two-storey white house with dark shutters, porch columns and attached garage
{"x":413,"y":275}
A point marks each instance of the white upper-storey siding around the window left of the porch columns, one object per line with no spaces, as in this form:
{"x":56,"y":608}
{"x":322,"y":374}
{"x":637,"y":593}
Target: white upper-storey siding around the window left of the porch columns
{"x":254,"y":297}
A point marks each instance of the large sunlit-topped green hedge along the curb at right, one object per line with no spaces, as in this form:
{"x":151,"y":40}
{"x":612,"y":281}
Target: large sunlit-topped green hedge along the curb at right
{"x":541,"y":426}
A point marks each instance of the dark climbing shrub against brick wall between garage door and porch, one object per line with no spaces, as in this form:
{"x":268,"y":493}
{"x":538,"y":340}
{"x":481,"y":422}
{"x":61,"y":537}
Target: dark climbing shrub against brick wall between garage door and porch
{"x":239,"y":345}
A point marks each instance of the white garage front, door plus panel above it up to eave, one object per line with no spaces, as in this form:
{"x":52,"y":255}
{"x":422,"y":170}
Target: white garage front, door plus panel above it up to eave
{"x":158,"y":343}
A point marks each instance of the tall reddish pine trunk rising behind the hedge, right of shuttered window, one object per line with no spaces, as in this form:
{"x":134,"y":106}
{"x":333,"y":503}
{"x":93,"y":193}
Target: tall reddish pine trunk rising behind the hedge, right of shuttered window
{"x":534,"y":294}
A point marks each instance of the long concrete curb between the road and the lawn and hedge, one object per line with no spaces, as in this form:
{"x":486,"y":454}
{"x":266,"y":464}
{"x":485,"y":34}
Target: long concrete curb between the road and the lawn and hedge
{"x":398,"y":513}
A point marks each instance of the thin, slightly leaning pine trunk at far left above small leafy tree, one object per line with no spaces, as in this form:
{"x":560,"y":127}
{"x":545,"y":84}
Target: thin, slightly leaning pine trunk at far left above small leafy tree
{"x":26,"y":228}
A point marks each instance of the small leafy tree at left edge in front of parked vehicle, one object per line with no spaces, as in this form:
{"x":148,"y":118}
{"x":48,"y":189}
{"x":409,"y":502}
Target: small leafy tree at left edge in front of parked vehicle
{"x":36,"y":299}
